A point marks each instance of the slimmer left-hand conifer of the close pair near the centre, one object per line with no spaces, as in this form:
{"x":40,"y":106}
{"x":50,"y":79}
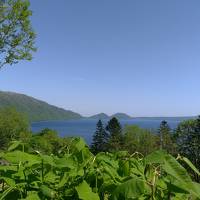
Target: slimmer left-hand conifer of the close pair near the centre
{"x":100,"y":139}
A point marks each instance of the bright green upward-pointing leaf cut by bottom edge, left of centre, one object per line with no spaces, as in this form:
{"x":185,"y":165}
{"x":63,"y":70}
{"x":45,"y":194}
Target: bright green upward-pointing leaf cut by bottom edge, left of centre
{"x":85,"y":192}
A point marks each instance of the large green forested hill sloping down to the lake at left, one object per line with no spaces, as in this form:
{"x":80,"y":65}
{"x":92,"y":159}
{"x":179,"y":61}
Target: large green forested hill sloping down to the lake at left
{"x":35,"y":109}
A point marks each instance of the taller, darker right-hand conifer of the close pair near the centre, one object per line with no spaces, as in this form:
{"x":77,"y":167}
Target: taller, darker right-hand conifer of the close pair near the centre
{"x":115,"y":135}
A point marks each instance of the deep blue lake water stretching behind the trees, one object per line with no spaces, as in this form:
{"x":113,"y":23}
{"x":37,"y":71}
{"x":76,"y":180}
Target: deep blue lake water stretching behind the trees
{"x":86,"y":127}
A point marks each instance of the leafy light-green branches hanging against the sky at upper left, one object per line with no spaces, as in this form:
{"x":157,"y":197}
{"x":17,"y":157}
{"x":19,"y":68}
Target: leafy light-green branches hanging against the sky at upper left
{"x":16,"y":34}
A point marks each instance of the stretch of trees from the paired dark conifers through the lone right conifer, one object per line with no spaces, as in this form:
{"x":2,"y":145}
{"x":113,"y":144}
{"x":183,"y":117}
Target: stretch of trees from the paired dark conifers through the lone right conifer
{"x":132,"y":138}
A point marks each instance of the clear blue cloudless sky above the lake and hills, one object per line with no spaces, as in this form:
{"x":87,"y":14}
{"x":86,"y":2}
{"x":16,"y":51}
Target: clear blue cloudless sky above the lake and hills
{"x":135,"y":56}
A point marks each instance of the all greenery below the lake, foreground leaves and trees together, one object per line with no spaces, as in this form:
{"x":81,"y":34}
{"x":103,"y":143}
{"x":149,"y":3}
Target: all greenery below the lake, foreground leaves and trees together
{"x":126,"y":163}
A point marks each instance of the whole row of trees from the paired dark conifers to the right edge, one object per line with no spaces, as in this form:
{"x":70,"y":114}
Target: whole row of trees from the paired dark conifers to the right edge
{"x":184,"y":140}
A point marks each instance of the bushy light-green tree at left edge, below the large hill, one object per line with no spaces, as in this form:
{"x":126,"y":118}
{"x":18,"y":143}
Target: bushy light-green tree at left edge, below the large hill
{"x":12,"y":125}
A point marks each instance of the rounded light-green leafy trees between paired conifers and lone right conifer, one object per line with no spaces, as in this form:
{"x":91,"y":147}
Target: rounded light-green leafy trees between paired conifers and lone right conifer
{"x":139,"y":140}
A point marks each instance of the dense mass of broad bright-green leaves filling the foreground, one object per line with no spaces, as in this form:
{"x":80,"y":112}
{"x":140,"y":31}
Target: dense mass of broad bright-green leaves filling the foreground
{"x":75,"y":173}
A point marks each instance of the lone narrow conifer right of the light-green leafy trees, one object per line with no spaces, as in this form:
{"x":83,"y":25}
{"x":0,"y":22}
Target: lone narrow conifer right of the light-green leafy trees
{"x":164,"y":132}
